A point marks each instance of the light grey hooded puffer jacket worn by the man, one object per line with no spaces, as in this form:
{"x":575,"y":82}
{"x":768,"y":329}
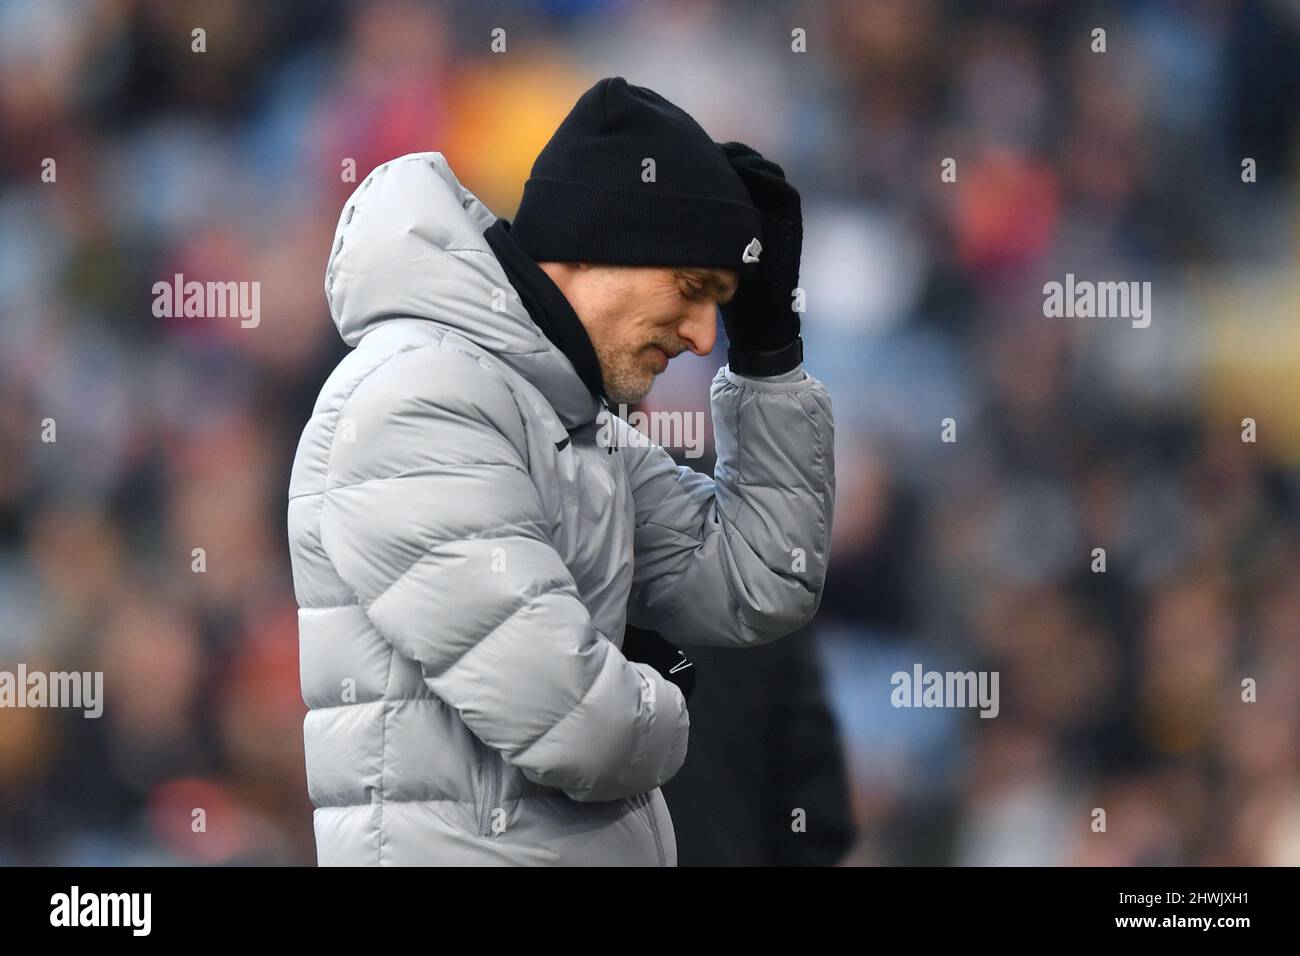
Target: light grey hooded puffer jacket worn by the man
{"x":467,"y":553}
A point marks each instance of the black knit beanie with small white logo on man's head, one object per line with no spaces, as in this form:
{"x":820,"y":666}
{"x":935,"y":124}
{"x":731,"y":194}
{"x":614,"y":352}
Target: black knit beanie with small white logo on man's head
{"x":588,"y":200}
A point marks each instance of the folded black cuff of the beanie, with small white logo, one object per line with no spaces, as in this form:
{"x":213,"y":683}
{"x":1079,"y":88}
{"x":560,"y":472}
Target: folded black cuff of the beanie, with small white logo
{"x":567,"y":222}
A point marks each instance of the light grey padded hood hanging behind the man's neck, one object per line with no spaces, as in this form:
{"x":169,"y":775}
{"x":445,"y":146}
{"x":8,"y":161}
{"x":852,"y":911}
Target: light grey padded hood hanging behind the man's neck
{"x":409,"y":245}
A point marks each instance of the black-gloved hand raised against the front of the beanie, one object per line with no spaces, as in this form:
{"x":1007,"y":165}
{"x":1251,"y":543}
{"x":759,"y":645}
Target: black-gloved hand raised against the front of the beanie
{"x":762,"y":328}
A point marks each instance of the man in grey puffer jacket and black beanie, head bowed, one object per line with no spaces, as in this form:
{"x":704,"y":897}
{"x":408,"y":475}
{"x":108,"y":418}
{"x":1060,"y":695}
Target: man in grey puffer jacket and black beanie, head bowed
{"x":473,"y":531}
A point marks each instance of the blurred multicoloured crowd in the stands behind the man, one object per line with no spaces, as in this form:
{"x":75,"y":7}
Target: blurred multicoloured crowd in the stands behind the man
{"x":925,"y":302}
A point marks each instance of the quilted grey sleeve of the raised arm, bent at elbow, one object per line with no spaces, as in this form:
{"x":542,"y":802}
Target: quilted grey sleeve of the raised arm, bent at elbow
{"x":738,"y":559}
